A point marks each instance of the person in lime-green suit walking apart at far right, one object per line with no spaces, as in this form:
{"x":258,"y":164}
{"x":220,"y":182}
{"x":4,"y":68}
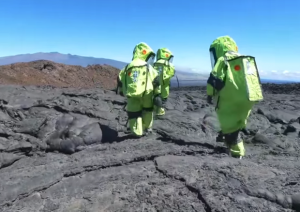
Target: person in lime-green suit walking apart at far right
{"x":234,"y":83}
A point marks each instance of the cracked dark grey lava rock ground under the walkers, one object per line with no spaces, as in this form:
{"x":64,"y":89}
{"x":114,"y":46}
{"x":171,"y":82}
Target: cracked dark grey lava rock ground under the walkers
{"x":64,"y":149}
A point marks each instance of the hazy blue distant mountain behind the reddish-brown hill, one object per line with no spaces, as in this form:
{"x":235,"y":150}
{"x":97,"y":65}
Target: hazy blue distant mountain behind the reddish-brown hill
{"x":67,"y":59}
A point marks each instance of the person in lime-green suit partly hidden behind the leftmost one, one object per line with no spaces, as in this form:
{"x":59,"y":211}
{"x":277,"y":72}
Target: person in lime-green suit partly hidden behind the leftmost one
{"x":166,"y":70}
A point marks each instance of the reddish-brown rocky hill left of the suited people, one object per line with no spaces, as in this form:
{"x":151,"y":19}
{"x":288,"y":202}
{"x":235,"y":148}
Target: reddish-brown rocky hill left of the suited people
{"x":43,"y":72}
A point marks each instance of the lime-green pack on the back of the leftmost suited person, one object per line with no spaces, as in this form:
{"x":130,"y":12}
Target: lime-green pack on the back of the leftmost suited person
{"x":136,"y":79}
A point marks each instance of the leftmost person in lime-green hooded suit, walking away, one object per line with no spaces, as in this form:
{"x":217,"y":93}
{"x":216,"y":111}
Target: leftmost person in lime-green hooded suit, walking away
{"x":139,"y":82}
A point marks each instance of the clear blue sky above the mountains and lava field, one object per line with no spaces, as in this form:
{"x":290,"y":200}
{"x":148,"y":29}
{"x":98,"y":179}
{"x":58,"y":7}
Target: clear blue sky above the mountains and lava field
{"x":268,"y":30}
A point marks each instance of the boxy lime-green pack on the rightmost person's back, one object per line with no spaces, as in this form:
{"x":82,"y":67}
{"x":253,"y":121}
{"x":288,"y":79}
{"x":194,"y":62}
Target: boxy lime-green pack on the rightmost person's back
{"x":243,"y":78}
